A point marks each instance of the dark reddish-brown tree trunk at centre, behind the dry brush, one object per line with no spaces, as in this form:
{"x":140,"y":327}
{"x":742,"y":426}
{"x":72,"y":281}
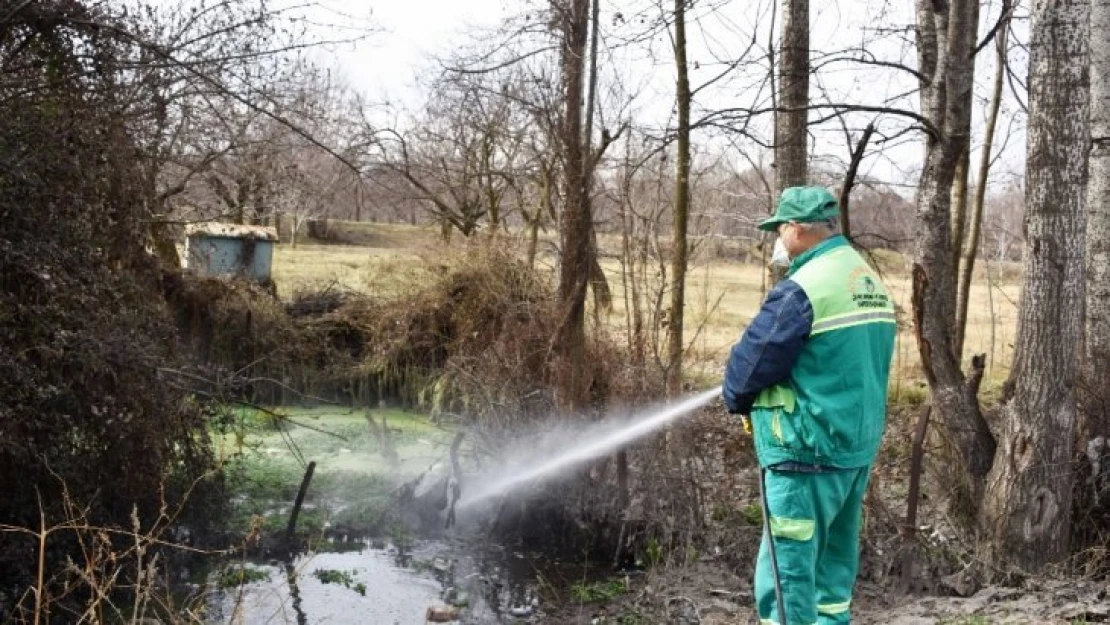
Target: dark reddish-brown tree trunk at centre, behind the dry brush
{"x":570,"y":339}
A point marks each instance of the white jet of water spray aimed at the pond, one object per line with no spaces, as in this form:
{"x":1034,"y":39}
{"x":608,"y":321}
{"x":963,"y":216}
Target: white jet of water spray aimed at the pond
{"x":593,"y":447}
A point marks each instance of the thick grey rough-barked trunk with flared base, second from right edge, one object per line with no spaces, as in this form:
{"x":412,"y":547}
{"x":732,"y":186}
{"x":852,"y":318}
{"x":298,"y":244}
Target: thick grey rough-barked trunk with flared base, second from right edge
{"x":1027,"y":513}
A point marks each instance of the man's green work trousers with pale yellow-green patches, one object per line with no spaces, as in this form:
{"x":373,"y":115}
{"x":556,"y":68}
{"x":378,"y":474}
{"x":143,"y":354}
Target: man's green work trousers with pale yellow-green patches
{"x":815,"y":520}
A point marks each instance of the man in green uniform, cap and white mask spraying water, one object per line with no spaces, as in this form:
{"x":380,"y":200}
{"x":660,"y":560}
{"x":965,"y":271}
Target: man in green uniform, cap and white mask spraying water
{"x":812,"y":372}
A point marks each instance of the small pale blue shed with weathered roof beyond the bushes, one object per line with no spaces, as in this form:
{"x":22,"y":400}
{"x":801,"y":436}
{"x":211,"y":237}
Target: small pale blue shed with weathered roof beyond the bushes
{"x":229,"y":249}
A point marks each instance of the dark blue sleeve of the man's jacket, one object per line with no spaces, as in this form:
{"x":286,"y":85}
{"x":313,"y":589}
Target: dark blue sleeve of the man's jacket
{"x":770,"y":348}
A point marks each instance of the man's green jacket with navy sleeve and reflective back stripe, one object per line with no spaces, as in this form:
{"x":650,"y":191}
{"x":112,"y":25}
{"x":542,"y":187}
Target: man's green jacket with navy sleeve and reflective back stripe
{"x":813,"y":367}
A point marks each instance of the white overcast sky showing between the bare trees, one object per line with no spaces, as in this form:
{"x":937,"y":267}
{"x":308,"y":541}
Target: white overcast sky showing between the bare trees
{"x":411,"y":33}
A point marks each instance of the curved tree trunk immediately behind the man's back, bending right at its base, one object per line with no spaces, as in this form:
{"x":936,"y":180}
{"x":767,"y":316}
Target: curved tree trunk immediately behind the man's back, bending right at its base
{"x":946,"y":37}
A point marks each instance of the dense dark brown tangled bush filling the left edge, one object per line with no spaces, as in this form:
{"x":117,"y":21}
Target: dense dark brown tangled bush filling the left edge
{"x":84,"y":345}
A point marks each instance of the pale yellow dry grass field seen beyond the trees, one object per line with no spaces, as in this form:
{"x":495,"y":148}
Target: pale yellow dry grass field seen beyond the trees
{"x":721,"y":296}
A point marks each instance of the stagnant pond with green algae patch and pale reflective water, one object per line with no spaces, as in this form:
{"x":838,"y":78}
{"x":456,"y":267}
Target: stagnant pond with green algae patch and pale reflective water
{"x":364,"y":561}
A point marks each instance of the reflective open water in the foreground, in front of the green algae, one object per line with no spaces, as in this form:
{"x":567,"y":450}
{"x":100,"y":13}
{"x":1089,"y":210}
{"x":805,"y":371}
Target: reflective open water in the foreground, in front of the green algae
{"x":385,"y":587}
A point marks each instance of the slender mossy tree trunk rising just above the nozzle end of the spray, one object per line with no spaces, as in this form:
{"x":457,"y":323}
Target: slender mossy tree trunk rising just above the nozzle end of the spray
{"x":682,"y":208}
